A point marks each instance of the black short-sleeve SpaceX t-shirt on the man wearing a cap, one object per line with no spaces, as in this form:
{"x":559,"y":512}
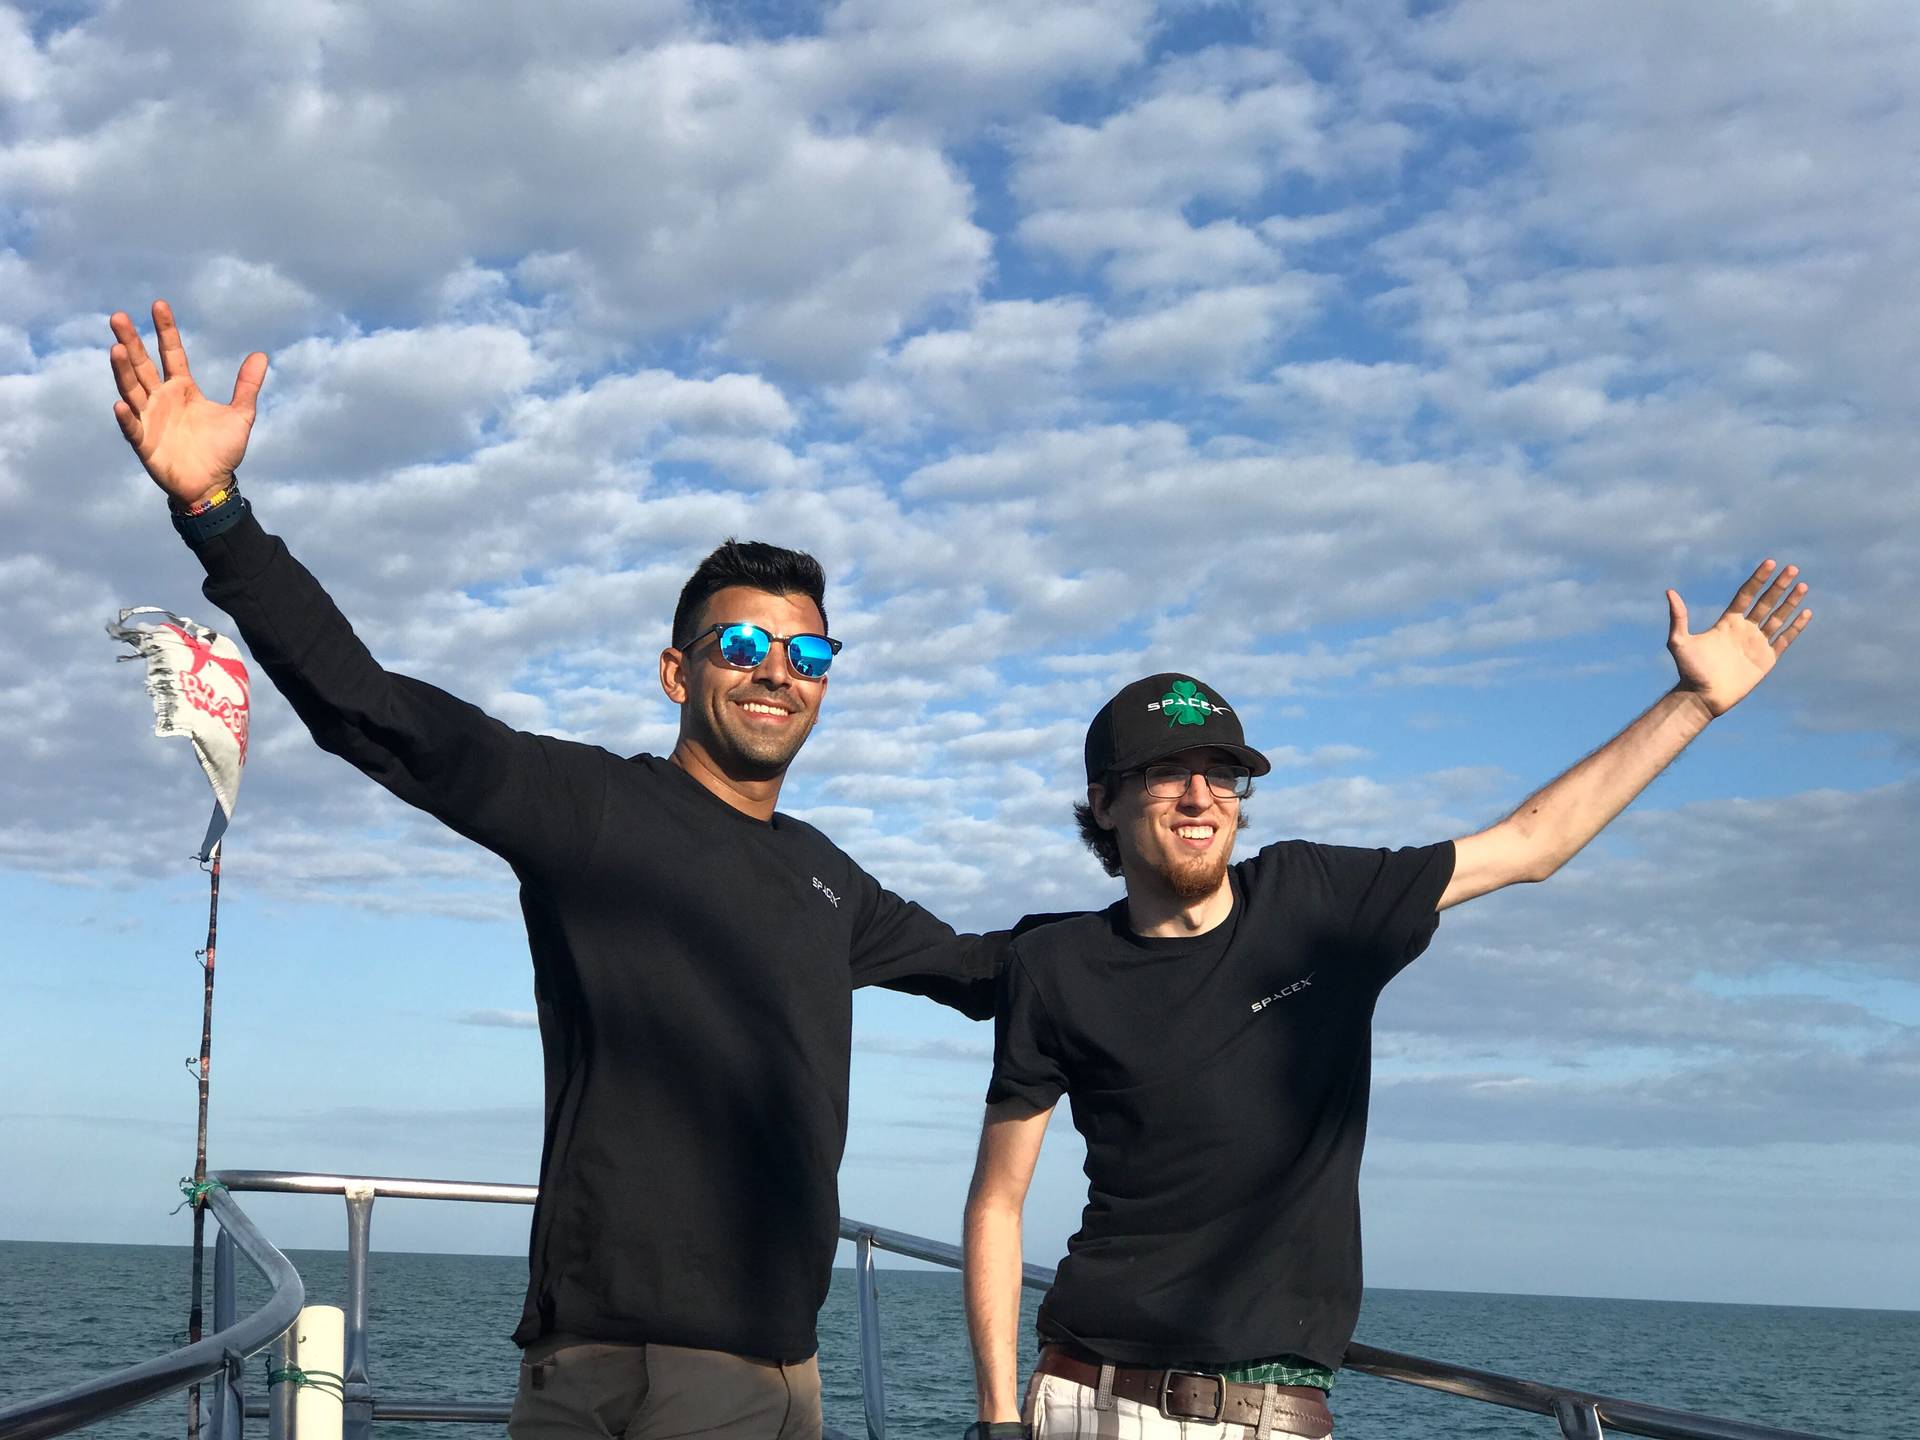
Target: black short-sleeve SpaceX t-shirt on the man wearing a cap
{"x":1222,"y":1090}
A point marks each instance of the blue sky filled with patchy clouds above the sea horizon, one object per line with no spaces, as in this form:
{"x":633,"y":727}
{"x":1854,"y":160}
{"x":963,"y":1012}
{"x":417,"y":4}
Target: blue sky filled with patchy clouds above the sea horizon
{"x":1381,"y":364}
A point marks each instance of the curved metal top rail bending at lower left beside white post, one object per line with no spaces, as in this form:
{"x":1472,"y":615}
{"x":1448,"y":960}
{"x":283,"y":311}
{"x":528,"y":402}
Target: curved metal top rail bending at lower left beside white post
{"x":214,"y":1355}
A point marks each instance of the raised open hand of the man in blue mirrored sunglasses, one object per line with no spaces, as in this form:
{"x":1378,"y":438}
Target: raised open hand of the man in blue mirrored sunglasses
{"x":187,"y":443}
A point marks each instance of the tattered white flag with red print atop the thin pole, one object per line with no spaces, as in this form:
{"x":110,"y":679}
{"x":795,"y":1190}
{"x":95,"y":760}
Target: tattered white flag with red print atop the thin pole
{"x":201,"y":690}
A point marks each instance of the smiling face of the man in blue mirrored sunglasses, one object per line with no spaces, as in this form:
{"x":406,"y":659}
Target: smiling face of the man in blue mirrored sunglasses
{"x":746,"y":725}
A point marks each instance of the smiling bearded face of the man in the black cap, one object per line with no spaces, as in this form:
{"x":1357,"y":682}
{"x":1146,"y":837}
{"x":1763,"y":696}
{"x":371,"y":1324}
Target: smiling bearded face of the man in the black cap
{"x":1178,"y":846}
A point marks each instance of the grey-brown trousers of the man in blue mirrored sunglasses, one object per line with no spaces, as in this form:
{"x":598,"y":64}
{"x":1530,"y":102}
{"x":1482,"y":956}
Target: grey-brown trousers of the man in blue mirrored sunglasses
{"x":573,"y":1391}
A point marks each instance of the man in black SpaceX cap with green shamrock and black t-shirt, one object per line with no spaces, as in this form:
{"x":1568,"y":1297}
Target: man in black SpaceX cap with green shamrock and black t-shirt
{"x":1212,"y":1032}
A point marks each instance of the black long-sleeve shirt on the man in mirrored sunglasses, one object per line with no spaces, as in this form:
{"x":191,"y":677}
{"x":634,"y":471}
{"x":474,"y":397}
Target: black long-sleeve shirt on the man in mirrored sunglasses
{"x":694,"y":972}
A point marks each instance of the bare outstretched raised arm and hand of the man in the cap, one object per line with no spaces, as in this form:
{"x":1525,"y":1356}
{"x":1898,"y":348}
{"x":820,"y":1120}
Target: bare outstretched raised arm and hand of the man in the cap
{"x":1716,"y":669}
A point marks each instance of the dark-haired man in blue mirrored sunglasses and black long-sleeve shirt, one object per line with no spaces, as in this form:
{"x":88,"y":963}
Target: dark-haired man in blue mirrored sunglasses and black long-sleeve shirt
{"x":694,"y":951}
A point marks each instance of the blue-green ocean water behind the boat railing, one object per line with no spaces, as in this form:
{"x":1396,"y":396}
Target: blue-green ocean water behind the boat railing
{"x":441,"y":1332}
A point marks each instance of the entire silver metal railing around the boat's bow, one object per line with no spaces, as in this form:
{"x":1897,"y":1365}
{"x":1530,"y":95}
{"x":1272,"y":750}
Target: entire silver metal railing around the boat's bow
{"x":1577,"y":1414}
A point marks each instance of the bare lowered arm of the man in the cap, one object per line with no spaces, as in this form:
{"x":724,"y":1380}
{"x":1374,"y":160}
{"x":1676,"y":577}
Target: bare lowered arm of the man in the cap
{"x":1009,"y":1149}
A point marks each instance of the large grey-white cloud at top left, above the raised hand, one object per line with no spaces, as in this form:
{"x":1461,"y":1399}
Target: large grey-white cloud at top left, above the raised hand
{"x":654,"y":181}
